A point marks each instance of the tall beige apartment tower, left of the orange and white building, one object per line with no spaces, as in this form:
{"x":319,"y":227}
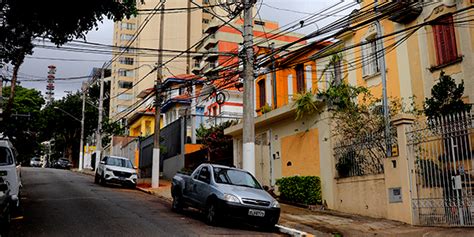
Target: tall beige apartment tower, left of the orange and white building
{"x":137,"y":42}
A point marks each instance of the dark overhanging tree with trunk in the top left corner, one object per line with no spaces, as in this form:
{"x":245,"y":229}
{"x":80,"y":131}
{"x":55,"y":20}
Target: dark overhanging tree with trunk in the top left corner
{"x":23,"y":20}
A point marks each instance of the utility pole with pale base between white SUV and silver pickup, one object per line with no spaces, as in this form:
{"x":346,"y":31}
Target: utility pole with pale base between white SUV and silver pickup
{"x":155,"y":171}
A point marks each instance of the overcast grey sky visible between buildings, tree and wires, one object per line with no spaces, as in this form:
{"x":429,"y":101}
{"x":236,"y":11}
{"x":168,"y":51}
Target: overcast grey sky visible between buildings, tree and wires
{"x":36,"y":65}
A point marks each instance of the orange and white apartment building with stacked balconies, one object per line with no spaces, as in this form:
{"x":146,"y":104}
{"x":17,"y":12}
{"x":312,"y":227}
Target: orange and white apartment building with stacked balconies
{"x":220,"y":64}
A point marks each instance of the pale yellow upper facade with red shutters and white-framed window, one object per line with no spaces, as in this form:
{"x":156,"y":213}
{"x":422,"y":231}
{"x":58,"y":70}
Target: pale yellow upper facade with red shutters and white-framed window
{"x":420,"y":41}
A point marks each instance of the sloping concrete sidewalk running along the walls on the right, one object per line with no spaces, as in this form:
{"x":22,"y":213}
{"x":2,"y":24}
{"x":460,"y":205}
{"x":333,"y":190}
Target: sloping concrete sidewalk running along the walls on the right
{"x":298,"y":221}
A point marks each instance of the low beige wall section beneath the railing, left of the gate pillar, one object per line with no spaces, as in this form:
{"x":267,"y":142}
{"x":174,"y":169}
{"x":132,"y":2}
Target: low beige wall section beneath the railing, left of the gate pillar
{"x":364,"y":195}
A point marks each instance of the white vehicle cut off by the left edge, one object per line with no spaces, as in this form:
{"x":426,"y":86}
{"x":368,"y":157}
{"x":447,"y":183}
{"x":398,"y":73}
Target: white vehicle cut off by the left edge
{"x":9,"y":171}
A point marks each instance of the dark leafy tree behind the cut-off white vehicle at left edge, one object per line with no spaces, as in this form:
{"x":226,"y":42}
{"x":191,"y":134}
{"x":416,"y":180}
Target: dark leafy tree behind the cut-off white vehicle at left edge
{"x":23,"y":128}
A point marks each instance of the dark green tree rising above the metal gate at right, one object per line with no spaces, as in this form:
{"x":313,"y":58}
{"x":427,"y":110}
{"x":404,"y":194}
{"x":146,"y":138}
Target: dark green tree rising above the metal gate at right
{"x":446,"y":98}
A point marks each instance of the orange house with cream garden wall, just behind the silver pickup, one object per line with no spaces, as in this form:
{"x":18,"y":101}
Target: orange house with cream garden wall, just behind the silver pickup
{"x":284,"y":146}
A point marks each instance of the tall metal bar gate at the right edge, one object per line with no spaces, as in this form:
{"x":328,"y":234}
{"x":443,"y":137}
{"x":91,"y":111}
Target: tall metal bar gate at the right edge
{"x":441,"y":170}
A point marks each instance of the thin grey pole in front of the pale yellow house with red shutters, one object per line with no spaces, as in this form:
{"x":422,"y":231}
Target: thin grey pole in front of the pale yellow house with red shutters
{"x":383,"y":74}
